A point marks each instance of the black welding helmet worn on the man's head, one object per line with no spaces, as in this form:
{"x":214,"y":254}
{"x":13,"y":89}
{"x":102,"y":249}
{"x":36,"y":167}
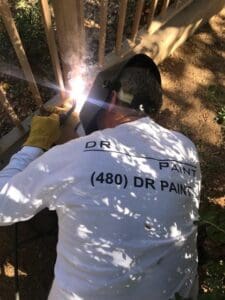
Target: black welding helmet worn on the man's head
{"x":107,"y":81}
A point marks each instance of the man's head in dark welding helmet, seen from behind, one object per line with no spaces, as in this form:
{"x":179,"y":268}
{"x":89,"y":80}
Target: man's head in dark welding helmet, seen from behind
{"x":134,"y":92}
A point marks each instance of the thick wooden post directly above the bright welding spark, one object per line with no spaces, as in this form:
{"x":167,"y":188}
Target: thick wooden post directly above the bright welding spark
{"x":68,"y":35}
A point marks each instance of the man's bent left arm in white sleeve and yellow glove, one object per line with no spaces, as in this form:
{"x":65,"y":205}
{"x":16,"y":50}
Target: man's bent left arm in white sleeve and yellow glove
{"x":21,"y":186}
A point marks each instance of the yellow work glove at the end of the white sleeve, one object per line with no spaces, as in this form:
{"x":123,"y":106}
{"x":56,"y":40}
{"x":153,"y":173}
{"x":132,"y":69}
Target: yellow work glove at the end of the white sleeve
{"x":44,"y":131}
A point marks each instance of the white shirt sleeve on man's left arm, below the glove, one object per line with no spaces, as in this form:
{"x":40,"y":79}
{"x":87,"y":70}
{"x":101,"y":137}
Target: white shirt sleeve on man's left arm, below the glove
{"x":18,"y":200}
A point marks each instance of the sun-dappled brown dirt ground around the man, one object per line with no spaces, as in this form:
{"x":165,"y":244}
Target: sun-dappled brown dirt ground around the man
{"x":194,"y":91}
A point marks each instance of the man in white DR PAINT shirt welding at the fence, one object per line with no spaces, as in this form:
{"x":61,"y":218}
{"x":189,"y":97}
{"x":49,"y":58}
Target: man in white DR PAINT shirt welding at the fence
{"x":125,"y":198}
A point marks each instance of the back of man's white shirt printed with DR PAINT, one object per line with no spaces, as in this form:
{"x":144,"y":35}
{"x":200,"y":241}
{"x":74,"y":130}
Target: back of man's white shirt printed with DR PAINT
{"x":126,"y":199}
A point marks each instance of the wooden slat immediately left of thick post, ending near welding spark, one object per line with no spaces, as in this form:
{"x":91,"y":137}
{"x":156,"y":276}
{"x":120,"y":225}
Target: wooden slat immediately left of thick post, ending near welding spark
{"x":52,"y":44}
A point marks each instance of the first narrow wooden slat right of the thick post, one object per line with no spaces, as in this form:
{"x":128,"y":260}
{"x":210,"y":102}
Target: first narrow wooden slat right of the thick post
{"x":102,"y":32}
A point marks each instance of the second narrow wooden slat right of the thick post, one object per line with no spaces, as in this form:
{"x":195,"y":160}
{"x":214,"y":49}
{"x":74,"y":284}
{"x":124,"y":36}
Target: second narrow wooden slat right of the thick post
{"x":121,"y":23}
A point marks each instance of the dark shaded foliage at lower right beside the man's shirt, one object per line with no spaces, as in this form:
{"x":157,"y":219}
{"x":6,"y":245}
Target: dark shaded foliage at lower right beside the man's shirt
{"x":213,"y":281}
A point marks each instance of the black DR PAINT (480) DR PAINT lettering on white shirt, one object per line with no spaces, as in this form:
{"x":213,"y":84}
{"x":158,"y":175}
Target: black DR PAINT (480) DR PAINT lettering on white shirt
{"x":182,"y":185}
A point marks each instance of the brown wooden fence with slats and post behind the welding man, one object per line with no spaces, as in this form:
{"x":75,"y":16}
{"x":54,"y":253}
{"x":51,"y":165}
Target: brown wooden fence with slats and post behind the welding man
{"x":70,"y":36}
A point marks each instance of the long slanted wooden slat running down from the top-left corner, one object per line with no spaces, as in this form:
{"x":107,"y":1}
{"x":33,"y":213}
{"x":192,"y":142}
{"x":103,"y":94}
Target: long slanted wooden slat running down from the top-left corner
{"x":19,"y":49}
